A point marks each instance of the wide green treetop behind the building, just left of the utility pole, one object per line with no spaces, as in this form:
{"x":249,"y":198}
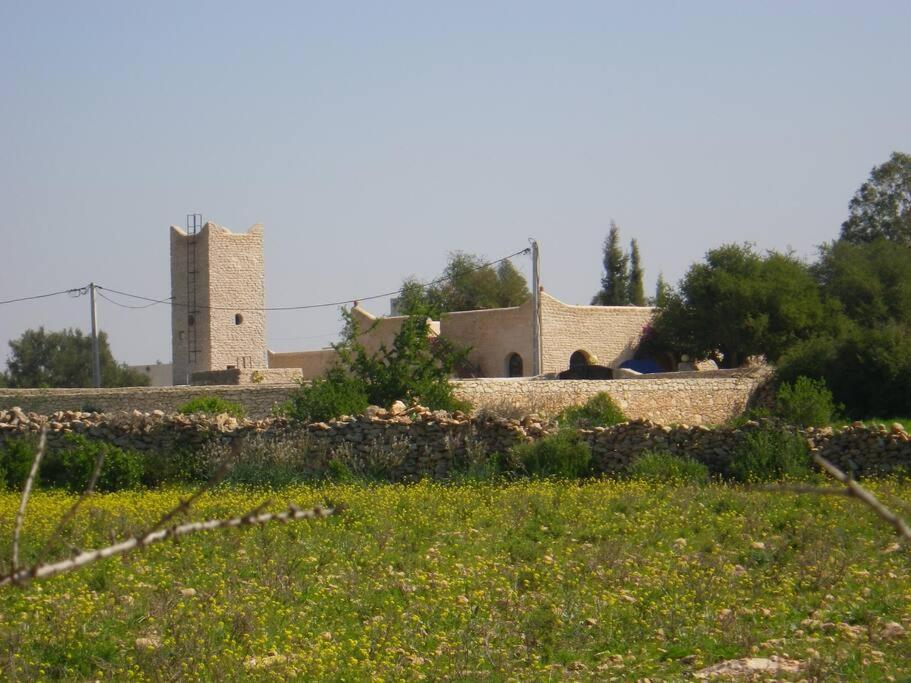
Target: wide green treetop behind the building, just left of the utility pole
{"x":467,"y":284}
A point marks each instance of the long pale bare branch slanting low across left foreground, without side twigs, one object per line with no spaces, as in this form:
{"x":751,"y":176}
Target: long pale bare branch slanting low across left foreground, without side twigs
{"x":253,"y":518}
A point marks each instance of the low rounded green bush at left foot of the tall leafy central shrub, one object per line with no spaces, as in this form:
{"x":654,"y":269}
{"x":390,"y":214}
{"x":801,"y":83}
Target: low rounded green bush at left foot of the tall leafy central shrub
{"x":337,"y":393}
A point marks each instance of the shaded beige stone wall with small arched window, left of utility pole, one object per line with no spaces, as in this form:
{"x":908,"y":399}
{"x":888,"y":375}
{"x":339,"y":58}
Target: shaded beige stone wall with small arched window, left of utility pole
{"x":493,"y":335}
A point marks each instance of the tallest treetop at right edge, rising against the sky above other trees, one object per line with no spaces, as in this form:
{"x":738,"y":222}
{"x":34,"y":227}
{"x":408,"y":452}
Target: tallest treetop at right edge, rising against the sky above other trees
{"x":881,"y":208}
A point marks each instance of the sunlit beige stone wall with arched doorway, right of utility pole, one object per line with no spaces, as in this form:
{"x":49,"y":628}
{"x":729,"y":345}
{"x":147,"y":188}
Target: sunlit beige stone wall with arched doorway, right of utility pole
{"x":609,"y":334}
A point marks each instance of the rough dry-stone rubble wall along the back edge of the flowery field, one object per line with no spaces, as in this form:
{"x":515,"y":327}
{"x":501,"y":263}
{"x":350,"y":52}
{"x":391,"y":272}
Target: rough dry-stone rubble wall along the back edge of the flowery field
{"x":418,"y":442}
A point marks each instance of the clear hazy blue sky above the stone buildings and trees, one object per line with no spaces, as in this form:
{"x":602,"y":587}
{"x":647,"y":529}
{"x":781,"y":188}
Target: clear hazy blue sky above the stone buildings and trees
{"x":372,"y":139}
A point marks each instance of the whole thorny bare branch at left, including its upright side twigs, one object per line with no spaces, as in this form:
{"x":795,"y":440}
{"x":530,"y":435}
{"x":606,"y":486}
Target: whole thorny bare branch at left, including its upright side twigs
{"x":155,"y":534}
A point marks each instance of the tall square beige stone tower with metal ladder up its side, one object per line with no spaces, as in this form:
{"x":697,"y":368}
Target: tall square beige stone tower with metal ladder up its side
{"x":218,"y":294}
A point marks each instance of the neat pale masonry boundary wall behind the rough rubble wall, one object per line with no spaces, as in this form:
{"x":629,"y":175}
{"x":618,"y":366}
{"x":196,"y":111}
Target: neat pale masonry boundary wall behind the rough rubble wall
{"x":687,"y":400}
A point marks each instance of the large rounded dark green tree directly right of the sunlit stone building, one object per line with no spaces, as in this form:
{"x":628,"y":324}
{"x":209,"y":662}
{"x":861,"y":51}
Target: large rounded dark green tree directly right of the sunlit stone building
{"x":739,"y":303}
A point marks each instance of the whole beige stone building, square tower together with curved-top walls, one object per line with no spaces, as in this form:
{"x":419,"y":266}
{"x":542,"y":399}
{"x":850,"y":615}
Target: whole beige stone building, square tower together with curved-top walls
{"x":218,"y":326}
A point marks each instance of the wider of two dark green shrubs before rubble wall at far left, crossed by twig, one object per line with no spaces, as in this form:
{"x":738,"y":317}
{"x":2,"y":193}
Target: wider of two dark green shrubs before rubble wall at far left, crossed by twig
{"x":71,"y":465}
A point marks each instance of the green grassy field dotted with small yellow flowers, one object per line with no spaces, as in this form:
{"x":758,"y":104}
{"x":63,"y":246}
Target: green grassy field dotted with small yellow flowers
{"x":526,"y":581}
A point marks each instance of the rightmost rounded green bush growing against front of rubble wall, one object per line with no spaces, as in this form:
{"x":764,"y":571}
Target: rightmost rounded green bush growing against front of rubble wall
{"x":770,"y":454}
